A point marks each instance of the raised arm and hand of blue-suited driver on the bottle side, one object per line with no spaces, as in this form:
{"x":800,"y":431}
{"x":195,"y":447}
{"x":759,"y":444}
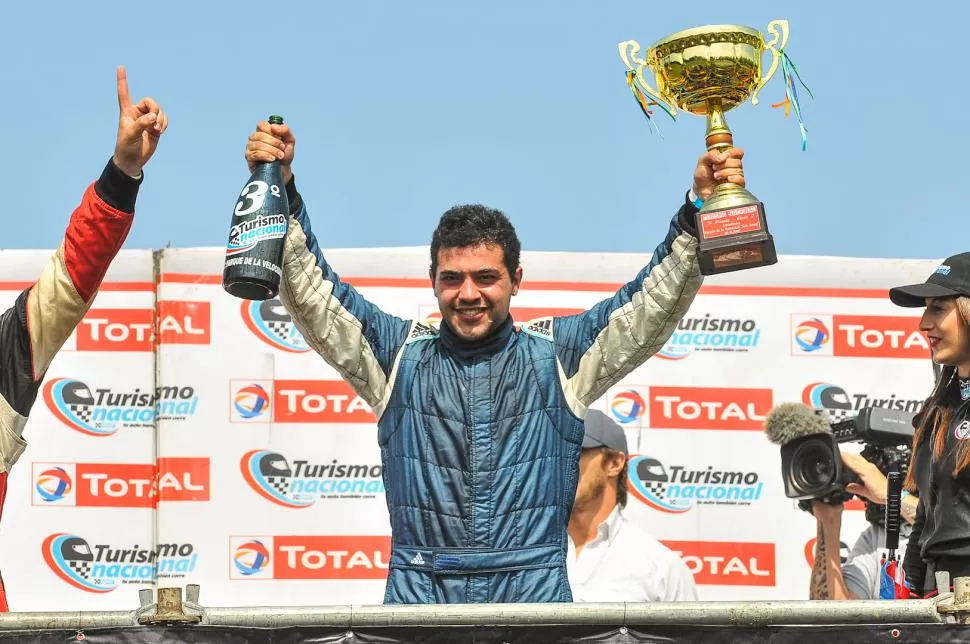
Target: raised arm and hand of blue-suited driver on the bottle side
{"x":353,"y":335}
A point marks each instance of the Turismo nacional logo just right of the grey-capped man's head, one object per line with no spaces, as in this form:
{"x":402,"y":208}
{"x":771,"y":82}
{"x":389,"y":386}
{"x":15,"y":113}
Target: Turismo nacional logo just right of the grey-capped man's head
{"x":677,"y":488}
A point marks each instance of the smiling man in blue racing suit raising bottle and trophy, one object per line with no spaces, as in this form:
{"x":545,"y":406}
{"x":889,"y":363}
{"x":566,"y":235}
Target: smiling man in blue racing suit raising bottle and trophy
{"x":480,"y":425}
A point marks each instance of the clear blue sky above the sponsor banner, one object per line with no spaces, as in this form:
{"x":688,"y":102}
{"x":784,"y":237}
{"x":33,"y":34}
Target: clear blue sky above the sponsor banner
{"x":402,"y":109}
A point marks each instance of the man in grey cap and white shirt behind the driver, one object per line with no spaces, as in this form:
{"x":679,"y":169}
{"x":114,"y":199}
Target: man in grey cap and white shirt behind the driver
{"x":609,"y":558}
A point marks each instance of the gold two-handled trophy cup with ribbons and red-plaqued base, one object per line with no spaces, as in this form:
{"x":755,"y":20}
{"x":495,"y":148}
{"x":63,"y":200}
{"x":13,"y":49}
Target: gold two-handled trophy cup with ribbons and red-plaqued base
{"x":708,"y":71}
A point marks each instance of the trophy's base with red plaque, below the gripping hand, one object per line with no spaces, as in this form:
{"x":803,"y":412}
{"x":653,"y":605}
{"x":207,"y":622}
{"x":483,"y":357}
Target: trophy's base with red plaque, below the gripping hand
{"x":733,"y":232}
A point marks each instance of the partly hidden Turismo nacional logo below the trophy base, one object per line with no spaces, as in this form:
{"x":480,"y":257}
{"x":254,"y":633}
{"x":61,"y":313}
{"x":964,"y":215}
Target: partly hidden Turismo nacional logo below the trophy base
{"x":708,"y":334}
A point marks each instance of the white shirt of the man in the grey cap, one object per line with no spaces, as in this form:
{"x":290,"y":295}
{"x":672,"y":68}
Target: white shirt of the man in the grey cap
{"x":625,"y":564}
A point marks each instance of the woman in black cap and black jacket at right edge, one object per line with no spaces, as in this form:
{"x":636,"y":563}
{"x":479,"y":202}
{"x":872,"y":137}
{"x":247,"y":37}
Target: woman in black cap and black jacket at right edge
{"x":940,"y":467}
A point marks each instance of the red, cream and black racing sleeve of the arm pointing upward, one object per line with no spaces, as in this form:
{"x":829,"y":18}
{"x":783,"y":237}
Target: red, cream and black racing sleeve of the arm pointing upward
{"x":45,"y":314}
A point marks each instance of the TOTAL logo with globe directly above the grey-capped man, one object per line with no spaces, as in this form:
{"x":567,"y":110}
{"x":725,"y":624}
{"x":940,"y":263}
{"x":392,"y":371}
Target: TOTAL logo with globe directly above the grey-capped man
{"x":715,"y":408}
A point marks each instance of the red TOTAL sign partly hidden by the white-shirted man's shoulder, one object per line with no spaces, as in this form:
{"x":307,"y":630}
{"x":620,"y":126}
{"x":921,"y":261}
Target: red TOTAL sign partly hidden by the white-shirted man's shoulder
{"x":720,"y":563}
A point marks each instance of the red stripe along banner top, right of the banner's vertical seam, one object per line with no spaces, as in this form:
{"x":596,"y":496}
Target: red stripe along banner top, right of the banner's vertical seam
{"x":608,"y":287}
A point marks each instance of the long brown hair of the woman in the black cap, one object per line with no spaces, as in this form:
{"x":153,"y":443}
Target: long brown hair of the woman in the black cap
{"x":937,"y":412}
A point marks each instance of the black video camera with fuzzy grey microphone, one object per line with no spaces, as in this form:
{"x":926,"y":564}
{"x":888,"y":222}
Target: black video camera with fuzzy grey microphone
{"x":811,"y":464}
